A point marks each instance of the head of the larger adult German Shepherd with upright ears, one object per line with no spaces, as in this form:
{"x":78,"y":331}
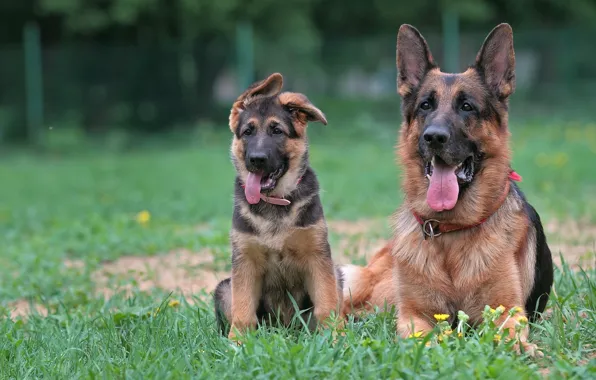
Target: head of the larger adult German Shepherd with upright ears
{"x":454,"y":136}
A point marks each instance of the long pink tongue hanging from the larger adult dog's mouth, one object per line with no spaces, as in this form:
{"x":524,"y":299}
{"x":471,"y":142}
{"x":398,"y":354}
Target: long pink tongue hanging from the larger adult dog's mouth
{"x":444,"y":189}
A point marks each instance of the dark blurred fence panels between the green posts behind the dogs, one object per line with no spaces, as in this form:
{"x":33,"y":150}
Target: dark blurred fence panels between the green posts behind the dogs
{"x":98,"y":87}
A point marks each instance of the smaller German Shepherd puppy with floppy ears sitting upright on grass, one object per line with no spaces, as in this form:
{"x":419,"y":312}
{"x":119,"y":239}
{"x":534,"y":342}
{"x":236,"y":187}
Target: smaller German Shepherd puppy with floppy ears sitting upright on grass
{"x":279,"y":234}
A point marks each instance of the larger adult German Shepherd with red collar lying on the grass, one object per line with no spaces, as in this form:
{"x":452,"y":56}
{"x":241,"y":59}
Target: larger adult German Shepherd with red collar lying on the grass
{"x":465,"y":236}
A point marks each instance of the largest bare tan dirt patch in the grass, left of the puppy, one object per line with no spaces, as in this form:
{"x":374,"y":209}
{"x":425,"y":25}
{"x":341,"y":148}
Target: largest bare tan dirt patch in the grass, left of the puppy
{"x":179,"y":271}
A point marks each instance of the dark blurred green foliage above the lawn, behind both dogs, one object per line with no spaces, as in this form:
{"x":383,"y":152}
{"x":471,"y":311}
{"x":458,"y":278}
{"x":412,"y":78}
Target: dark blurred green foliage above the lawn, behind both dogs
{"x":150,"y":65}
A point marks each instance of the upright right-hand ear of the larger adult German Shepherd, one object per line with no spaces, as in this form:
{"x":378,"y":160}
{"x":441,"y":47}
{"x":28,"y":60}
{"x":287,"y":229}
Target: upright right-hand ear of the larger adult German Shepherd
{"x":496,"y":61}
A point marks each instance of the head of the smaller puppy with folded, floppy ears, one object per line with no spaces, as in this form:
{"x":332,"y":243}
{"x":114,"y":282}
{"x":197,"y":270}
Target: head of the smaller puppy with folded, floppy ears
{"x":269,"y":149}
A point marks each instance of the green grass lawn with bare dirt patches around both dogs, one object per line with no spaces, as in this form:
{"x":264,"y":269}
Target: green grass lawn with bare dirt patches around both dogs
{"x":108,"y":258}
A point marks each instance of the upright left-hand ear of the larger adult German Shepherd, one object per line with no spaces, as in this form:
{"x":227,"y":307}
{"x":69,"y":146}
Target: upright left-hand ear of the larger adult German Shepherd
{"x":414,"y":59}
